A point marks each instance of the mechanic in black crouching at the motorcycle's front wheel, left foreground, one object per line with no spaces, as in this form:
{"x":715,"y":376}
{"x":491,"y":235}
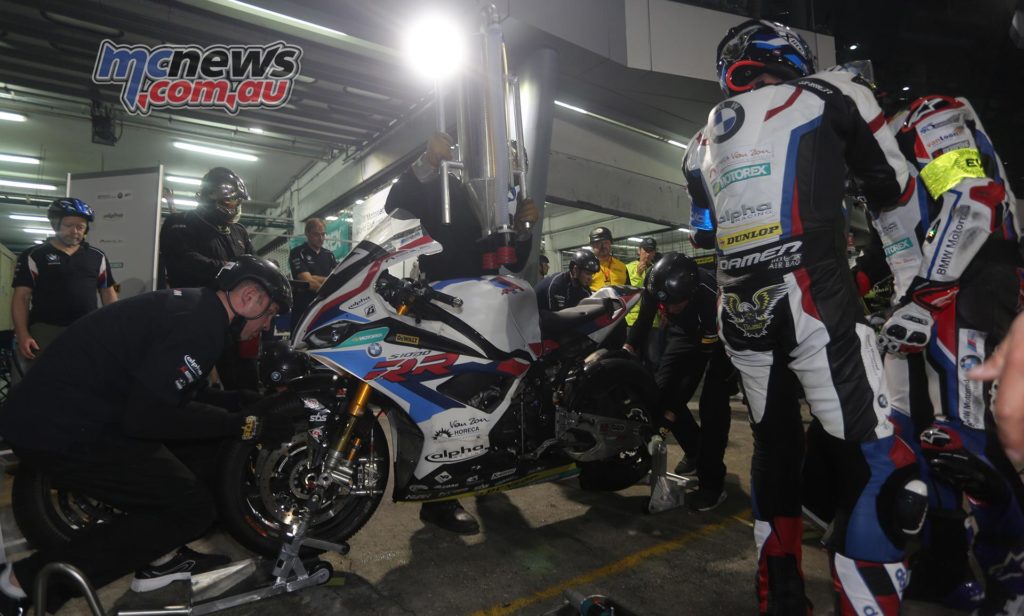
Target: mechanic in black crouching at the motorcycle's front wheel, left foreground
{"x":95,"y":412}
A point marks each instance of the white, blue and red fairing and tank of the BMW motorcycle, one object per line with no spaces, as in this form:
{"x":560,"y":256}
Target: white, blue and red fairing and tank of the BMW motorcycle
{"x":453,"y":372}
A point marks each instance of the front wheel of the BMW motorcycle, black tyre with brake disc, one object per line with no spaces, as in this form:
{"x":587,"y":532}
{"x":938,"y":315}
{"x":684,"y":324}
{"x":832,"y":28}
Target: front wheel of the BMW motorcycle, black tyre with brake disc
{"x":261,"y":489}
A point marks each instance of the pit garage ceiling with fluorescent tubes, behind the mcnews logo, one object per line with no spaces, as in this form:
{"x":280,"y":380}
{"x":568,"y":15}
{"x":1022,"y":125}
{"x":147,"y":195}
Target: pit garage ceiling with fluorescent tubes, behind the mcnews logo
{"x":351,"y":90}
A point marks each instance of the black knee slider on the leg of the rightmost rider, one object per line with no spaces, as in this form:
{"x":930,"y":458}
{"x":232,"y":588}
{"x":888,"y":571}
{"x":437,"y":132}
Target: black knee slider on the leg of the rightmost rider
{"x":955,"y":465}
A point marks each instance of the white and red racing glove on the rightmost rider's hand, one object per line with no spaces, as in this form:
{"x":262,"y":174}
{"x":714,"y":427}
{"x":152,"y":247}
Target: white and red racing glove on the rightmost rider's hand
{"x":910,"y":328}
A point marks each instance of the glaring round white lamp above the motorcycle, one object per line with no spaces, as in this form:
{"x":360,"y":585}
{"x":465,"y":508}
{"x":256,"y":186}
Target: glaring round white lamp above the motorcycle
{"x":435,"y":47}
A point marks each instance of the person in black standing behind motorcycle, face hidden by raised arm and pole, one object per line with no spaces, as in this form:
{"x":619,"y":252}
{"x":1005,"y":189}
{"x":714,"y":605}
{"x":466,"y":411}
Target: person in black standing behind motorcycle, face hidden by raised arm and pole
{"x":418,"y":193}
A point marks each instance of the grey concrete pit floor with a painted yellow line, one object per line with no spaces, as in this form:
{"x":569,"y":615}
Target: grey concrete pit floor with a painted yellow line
{"x":536,"y":544}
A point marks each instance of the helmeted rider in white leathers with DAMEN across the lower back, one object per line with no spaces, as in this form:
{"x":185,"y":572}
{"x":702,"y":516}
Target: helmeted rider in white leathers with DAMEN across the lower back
{"x":766,"y":179}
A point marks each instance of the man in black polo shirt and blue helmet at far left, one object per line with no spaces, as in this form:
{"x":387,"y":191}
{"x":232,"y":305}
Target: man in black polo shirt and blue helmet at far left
{"x":56,"y":283}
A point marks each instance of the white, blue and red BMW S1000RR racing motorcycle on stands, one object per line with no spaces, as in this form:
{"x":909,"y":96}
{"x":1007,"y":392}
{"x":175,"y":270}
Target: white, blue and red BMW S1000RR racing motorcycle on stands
{"x":482,"y":392}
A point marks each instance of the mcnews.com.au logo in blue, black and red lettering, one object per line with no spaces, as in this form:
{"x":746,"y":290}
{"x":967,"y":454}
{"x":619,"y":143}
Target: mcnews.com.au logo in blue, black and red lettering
{"x":189,"y":76}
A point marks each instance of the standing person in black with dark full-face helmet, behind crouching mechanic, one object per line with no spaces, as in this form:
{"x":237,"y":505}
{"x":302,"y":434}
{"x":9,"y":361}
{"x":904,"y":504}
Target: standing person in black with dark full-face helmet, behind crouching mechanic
{"x":195,"y":245}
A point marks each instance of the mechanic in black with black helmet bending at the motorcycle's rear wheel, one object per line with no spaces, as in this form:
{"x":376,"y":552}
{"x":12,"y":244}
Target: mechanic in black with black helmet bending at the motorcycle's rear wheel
{"x":688,"y":297}
